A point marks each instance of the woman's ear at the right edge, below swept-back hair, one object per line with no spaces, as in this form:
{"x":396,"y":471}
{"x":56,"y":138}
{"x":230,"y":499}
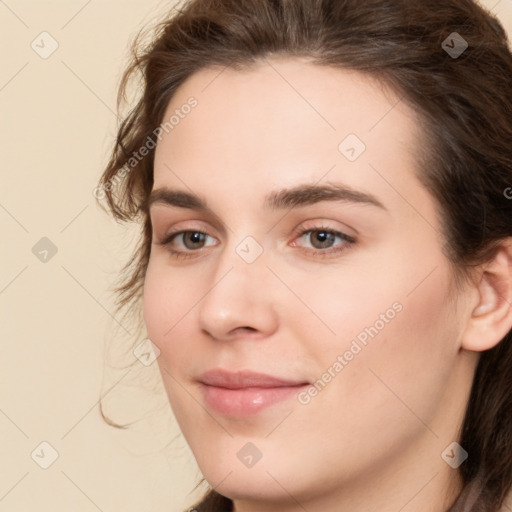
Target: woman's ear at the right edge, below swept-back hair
{"x":491,"y":315}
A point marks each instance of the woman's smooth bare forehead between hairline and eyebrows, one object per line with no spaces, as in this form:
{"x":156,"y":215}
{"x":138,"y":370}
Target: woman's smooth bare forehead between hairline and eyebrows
{"x":286,"y":120}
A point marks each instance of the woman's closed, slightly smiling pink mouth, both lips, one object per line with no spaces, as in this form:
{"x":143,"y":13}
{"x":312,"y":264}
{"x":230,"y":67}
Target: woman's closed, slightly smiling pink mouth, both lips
{"x":246,"y":393}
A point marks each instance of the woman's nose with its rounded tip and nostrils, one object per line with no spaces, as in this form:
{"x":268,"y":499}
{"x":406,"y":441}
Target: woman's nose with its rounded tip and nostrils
{"x":239,"y":299}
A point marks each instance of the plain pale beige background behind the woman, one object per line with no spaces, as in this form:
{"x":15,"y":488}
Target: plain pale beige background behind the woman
{"x":57,"y":124}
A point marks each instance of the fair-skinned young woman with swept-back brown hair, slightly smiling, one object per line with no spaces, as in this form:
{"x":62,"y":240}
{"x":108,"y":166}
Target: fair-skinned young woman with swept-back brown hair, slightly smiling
{"x":326,"y":260}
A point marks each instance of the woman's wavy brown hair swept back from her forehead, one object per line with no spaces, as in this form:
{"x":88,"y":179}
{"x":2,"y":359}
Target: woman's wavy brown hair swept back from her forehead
{"x":465,"y":106}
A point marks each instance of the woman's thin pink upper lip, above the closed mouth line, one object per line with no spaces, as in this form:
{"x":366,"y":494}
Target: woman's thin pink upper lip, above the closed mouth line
{"x":245,"y":379}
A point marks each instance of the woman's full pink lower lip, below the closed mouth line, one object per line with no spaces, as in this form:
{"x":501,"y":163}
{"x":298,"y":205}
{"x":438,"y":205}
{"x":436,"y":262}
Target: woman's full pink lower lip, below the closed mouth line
{"x":246,"y":401}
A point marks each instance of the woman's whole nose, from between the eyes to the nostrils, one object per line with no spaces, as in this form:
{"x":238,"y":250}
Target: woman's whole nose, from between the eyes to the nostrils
{"x":238,"y":295}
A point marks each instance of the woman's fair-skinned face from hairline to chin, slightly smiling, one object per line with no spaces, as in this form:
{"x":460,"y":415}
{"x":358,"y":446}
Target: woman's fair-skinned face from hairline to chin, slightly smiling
{"x":320,"y":265}
